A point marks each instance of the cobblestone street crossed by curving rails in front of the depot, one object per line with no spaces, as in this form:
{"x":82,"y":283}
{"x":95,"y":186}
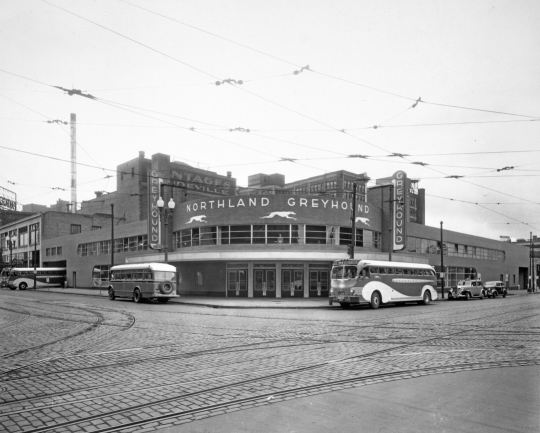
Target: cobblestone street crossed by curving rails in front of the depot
{"x":72,"y":363}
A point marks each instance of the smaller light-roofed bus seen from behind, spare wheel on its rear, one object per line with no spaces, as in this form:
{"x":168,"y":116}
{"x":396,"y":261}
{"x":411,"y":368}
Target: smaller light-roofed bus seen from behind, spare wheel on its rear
{"x":143,"y":281}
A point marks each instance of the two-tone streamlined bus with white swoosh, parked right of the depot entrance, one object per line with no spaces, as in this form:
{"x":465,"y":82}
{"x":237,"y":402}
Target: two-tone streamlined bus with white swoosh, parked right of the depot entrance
{"x":374,"y":282}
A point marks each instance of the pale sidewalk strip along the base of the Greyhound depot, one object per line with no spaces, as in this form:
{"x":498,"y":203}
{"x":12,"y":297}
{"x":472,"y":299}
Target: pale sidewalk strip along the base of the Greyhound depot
{"x":214,"y":302}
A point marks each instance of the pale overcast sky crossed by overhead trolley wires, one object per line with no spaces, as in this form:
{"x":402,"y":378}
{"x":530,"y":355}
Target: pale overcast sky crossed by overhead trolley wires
{"x":452,"y":85}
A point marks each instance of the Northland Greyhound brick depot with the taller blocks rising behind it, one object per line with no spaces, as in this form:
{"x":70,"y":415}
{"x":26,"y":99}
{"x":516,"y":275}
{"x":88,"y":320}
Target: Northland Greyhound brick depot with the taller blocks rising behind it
{"x":271,"y":239}
